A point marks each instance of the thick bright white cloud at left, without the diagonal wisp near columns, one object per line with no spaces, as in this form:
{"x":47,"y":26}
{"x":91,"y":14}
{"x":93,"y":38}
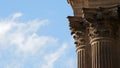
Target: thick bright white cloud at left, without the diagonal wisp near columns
{"x":23,"y":34}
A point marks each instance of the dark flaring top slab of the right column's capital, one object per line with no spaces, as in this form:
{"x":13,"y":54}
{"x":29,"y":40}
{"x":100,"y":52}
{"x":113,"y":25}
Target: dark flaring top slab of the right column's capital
{"x":102,"y":14}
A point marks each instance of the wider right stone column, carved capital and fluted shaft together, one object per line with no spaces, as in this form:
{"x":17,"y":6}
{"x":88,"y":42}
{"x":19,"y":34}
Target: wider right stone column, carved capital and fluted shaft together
{"x":102,"y":33}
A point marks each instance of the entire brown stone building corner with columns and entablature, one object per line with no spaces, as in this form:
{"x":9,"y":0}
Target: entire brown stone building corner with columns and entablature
{"x":95,"y":28}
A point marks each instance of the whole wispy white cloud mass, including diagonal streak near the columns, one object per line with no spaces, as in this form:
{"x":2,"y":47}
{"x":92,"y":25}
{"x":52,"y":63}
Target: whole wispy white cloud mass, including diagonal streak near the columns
{"x":23,"y":45}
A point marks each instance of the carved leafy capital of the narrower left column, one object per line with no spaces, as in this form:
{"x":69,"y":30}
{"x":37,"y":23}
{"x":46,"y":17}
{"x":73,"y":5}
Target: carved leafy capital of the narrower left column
{"x":78,"y":30}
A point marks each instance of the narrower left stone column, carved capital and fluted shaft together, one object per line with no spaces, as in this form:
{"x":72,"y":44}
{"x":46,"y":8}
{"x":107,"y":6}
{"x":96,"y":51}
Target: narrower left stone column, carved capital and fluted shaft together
{"x":78,"y":30}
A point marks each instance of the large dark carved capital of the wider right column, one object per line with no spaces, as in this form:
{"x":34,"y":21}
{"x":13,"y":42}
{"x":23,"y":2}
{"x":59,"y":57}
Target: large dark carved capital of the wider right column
{"x":103,"y":21}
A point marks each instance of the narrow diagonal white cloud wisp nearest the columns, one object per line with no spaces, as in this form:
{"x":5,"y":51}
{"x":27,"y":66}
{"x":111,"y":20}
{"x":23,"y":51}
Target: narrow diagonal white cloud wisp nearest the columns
{"x":52,"y":58}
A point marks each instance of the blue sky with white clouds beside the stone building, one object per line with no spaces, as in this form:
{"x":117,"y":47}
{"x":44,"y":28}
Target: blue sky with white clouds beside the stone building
{"x":35,"y":34}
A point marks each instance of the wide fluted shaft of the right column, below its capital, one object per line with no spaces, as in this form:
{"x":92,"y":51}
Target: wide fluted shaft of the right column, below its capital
{"x":101,"y":53}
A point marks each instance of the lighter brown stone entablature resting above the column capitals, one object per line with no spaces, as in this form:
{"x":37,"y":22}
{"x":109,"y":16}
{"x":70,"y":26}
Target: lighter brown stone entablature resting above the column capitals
{"x":77,"y":5}
